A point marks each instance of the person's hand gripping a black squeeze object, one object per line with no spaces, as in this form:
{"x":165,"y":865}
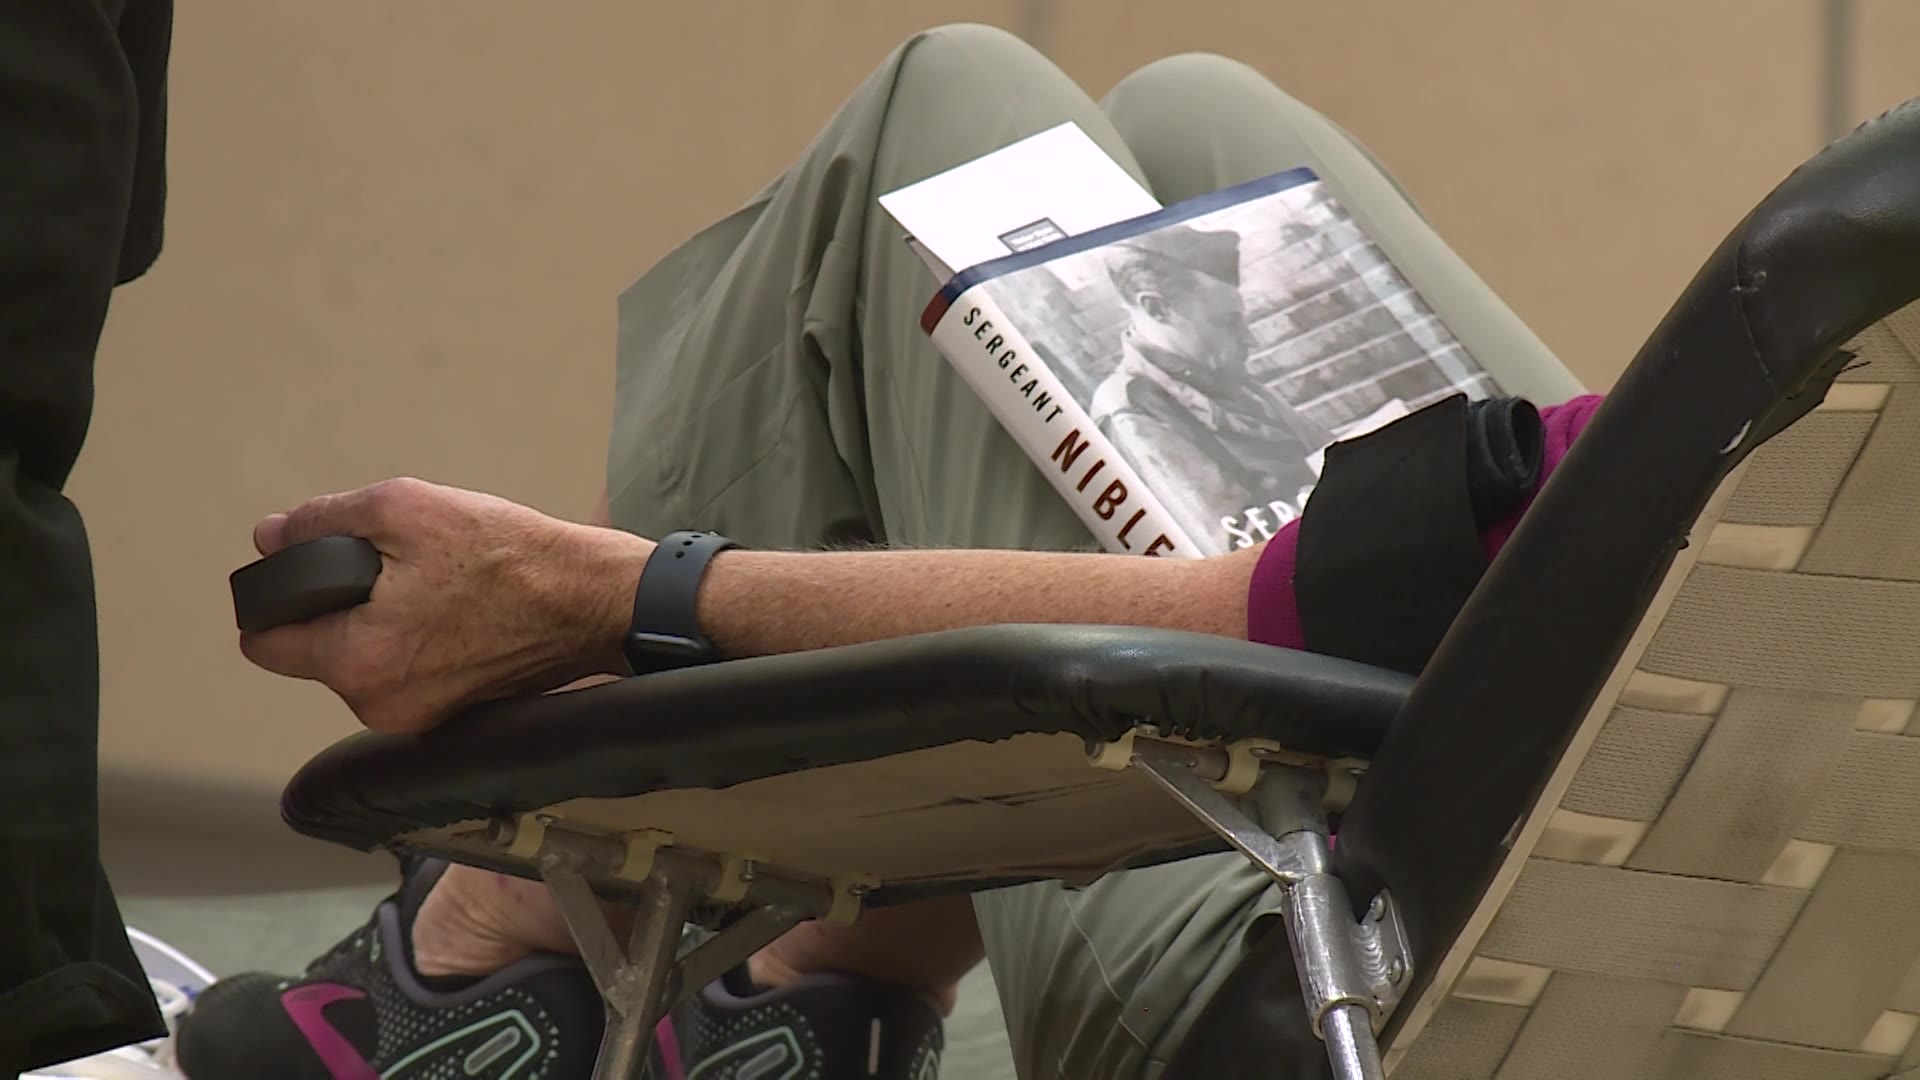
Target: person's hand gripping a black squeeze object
{"x":477,"y":599}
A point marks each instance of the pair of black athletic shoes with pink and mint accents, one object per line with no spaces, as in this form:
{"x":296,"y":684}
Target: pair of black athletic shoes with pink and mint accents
{"x":364,"y":1014}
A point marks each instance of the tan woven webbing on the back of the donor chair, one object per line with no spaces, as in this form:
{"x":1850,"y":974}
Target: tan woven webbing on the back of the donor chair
{"x":1723,"y":875}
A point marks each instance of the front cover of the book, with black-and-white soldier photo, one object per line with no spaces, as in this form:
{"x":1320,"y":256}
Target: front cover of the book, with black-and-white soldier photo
{"x":1224,"y":351}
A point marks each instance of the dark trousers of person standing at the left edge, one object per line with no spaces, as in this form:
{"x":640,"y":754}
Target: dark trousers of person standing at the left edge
{"x":82,"y":191}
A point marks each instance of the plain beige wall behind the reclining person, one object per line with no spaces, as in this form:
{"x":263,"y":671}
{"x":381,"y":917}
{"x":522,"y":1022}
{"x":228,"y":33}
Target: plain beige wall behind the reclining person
{"x":396,"y":239}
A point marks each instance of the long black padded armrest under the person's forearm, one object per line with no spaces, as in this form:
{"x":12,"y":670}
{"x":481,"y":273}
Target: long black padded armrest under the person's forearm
{"x":729,"y":724}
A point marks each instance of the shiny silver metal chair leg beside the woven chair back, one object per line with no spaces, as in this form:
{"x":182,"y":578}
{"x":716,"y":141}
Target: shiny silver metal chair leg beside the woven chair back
{"x":1351,"y":970}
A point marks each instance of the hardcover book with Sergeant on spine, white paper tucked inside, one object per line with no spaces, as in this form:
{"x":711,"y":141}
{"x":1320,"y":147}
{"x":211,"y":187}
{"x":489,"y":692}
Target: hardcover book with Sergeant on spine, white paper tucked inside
{"x":1176,"y":372}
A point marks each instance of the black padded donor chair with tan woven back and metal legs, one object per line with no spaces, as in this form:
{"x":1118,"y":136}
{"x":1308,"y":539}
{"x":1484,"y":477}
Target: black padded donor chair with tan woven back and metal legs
{"x":1652,"y":808}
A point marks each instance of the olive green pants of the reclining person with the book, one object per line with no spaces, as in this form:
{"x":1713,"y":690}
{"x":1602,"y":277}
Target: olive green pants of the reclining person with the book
{"x":775,"y":385}
